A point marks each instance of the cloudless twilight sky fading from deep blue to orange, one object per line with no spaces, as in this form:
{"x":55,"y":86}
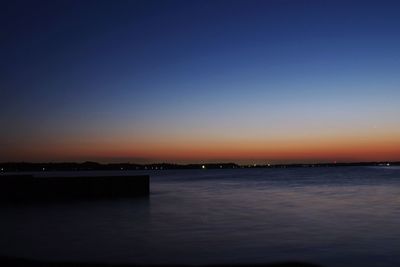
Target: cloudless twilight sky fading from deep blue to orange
{"x":200,"y":81}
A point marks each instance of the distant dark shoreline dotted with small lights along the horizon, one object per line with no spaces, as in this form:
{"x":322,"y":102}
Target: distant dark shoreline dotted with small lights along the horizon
{"x":94,"y":166}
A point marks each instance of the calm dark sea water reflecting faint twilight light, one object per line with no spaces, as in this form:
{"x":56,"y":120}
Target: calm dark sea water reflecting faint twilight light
{"x":331,"y":216}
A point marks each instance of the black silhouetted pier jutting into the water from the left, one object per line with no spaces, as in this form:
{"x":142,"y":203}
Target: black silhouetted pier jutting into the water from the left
{"x":28,"y":187}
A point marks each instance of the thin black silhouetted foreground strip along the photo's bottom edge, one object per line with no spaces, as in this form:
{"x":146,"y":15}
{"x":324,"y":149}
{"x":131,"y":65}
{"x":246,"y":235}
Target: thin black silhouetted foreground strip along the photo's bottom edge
{"x":18,"y":262}
